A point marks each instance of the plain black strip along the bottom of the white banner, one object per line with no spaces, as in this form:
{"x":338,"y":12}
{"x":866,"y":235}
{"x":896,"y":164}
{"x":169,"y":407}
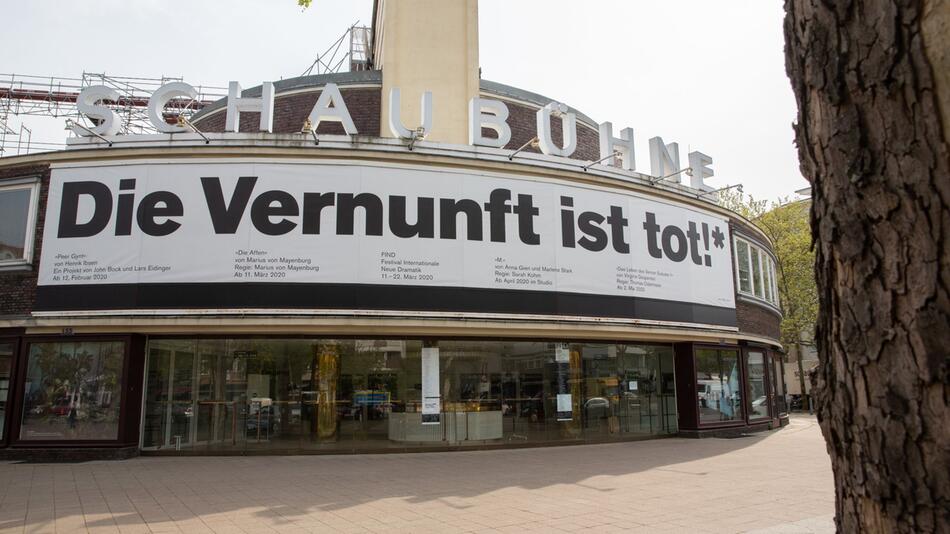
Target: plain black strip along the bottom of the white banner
{"x":271,"y":295}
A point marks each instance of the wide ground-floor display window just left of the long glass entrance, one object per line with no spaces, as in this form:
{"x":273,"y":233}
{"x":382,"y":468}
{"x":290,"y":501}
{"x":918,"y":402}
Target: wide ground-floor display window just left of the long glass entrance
{"x":73,"y":391}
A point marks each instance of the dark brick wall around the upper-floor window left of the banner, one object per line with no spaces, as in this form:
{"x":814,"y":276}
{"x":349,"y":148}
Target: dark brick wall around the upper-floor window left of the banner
{"x":18,"y":288}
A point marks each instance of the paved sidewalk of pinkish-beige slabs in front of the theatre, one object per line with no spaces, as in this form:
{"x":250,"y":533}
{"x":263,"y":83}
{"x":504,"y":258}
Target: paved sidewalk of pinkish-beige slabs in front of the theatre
{"x":772,"y":482}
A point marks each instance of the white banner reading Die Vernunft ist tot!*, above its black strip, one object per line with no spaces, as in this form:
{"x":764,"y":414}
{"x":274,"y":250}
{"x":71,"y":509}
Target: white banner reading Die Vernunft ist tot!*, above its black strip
{"x":182,"y":222}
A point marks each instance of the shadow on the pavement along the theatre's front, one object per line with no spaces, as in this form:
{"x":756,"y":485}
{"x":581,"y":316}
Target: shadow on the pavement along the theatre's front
{"x":281,"y":488}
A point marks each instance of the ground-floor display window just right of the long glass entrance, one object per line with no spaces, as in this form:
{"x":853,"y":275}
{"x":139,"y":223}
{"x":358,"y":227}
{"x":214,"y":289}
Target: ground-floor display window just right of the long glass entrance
{"x":719,"y":394}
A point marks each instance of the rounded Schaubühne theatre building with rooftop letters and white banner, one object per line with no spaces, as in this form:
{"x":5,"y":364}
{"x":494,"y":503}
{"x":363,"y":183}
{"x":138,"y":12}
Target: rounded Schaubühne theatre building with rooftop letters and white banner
{"x":405,"y":257}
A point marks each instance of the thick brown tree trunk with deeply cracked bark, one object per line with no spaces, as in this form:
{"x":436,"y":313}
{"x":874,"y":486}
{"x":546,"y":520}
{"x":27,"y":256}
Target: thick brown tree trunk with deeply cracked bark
{"x":870,"y":78}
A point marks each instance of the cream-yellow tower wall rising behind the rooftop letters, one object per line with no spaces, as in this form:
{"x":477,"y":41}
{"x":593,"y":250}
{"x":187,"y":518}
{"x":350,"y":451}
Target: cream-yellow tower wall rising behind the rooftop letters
{"x":429,"y":45}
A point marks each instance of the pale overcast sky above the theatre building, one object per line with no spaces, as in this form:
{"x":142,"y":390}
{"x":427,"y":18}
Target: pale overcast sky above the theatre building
{"x":708,"y":75}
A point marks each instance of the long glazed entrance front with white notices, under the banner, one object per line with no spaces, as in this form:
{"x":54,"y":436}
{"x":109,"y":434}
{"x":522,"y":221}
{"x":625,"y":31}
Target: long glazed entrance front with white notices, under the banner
{"x":284,"y":394}
